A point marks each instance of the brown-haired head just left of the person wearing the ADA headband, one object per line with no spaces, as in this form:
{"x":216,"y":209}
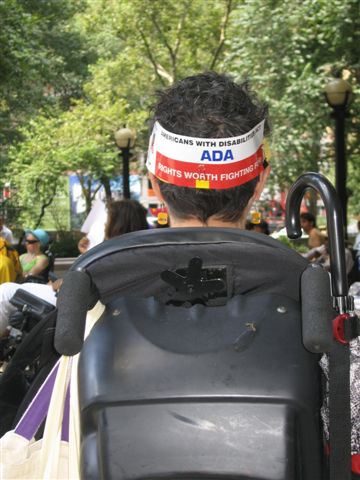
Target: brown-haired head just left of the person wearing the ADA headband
{"x":125,"y":216}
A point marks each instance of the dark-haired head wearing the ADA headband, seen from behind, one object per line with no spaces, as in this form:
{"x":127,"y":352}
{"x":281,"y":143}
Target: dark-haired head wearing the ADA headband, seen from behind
{"x":211,"y":106}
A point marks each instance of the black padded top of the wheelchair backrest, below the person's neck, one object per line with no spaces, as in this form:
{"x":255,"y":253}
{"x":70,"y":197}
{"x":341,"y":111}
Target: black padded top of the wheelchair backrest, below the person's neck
{"x":130,"y":265}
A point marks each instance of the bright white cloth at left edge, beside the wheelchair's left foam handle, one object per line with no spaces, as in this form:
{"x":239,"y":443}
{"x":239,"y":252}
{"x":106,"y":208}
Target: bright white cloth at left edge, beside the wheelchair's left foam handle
{"x":7,"y":290}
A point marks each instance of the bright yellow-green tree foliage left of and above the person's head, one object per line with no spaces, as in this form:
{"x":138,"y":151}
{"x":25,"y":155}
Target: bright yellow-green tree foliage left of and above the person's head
{"x":141,"y":46}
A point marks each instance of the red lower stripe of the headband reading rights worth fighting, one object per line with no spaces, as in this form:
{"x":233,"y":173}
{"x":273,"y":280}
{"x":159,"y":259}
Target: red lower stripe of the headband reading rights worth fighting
{"x":220,"y":175}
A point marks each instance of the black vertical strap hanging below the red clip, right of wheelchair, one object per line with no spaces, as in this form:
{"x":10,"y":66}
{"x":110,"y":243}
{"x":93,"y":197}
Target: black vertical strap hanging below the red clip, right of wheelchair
{"x":339,"y":412}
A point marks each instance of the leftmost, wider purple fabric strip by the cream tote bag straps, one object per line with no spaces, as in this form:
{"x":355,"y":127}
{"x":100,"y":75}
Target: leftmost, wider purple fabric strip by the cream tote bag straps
{"x":36,"y":412}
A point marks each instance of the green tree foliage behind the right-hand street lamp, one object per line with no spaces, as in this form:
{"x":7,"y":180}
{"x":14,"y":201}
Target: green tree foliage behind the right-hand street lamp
{"x":290,"y":50}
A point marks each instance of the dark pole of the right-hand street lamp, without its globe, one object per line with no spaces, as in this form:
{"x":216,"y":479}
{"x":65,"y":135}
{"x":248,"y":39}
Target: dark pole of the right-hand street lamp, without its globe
{"x":340,"y":161}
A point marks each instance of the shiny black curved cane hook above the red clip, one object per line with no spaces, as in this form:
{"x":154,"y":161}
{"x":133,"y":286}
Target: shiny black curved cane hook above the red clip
{"x":335,"y":229}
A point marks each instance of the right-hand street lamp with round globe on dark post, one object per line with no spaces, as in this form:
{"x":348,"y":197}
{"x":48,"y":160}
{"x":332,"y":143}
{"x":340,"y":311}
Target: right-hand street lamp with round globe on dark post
{"x":338,"y":95}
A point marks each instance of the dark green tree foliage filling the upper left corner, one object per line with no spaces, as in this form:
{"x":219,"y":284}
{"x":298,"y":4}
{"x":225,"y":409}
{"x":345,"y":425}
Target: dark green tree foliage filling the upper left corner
{"x":43,"y":62}
